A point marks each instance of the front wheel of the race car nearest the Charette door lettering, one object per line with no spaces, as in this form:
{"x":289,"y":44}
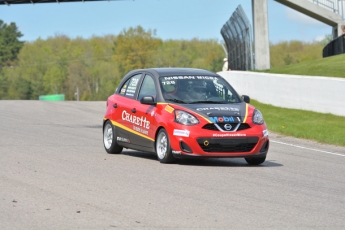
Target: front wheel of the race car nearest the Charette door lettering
{"x":163,"y":149}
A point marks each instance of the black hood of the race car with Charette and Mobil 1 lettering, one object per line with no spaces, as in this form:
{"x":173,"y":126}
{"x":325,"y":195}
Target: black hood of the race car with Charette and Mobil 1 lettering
{"x":235,"y":112}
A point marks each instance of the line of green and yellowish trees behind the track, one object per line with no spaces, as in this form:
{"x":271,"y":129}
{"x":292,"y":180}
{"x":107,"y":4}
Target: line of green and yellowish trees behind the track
{"x":95,"y":66}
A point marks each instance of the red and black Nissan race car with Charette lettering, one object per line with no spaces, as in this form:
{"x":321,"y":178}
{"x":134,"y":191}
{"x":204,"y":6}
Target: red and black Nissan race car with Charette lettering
{"x":183,"y":112}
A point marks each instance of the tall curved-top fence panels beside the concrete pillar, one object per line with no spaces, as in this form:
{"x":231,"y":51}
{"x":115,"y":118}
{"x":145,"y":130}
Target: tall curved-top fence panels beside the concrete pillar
{"x":237,"y":34}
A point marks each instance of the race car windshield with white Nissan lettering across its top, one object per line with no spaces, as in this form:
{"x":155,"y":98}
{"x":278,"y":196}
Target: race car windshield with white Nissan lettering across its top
{"x":197,"y":89}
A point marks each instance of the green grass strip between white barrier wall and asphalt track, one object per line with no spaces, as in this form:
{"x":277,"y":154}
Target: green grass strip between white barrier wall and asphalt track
{"x":323,"y":128}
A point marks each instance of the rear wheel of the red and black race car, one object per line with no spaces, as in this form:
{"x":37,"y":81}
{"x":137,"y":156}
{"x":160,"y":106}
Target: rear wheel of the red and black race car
{"x":109,"y":139}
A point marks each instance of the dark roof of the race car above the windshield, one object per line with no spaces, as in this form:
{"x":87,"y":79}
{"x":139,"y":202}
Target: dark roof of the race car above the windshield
{"x":179,"y":71}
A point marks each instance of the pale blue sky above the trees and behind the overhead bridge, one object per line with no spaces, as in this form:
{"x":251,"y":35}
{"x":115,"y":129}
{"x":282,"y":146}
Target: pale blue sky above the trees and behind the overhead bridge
{"x":172,"y":19}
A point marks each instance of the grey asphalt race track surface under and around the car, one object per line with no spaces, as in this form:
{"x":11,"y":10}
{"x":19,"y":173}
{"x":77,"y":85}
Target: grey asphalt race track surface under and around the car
{"x":55,"y":174}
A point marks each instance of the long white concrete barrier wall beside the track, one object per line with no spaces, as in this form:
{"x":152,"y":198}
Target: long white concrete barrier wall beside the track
{"x":318,"y":94}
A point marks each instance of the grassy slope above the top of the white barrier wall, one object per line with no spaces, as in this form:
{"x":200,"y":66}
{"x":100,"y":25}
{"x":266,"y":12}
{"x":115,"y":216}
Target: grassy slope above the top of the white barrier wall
{"x":329,"y":67}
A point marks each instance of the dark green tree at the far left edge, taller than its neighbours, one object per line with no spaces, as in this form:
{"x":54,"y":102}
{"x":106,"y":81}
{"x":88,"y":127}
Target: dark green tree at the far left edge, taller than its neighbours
{"x":9,"y":43}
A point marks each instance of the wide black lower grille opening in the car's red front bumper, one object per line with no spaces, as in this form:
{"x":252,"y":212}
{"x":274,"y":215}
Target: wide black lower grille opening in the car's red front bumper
{"x":245,"y":144}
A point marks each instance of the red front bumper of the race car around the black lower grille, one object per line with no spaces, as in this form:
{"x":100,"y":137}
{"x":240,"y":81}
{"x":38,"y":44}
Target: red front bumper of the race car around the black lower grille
{"x":249,"y":143}
